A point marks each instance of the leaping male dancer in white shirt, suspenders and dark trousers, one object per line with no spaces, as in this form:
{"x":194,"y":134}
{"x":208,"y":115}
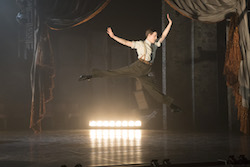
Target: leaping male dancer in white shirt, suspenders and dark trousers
{"x":141,"y":68}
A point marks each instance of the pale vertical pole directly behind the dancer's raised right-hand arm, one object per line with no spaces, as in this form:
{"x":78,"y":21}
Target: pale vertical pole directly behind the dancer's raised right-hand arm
{"x":164,"y":107}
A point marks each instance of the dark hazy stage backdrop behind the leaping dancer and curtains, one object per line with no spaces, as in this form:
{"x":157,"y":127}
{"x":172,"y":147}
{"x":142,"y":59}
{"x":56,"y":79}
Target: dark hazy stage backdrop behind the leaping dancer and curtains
{"x":87,"y":46}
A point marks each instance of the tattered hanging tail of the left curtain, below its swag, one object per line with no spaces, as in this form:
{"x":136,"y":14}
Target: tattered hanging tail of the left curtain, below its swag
{"x":42,"y":78}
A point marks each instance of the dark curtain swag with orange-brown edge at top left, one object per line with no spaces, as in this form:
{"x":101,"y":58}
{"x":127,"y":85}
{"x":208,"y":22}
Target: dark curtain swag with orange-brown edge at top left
{"x":64,"y":14}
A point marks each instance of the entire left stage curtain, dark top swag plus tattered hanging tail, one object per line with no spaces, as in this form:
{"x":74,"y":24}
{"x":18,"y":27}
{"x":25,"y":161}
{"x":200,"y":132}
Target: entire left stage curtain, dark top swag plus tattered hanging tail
{"x":55,"y":15}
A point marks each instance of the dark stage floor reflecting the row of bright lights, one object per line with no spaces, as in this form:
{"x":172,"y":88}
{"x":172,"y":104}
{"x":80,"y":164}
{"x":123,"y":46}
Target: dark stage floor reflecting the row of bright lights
{"x":116,"y":147}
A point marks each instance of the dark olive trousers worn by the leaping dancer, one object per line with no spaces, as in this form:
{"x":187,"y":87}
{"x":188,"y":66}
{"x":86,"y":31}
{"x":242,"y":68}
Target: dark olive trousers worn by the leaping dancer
{"x":140,"y":71}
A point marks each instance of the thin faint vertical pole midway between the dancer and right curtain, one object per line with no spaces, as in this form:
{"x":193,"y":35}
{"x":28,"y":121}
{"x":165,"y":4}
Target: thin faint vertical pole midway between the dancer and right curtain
{"x":193,"y":81}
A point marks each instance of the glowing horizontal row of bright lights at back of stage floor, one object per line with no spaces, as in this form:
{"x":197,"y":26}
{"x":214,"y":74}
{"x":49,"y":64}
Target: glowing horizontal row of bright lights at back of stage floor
{"x":115,"y":123}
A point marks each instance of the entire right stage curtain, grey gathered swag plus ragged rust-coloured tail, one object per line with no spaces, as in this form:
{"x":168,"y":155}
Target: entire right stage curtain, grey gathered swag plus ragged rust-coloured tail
{"x":237,"y":63}
